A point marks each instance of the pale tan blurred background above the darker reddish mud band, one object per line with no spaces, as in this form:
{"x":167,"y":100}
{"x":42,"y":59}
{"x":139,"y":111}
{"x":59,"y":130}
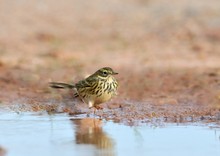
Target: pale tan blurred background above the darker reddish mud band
{"x":140,"y":33}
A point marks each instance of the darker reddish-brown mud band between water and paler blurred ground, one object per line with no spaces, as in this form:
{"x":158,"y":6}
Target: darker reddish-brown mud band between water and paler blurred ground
{"x":148,"y":96}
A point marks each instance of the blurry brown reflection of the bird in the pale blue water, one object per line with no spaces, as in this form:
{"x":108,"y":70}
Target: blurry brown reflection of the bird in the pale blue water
{"x":90,"y":131}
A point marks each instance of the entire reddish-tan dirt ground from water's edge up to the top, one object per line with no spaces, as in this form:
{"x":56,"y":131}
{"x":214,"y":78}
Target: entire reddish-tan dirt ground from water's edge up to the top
{"x":167,"y":54}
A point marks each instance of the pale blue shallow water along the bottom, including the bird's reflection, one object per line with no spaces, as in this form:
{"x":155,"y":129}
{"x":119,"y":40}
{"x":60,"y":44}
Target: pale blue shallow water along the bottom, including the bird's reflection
{"x":29,"y":134}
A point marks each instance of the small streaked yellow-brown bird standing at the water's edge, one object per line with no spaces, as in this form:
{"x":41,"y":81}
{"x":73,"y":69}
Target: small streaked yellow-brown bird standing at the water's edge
{"x":98,"y":88}
